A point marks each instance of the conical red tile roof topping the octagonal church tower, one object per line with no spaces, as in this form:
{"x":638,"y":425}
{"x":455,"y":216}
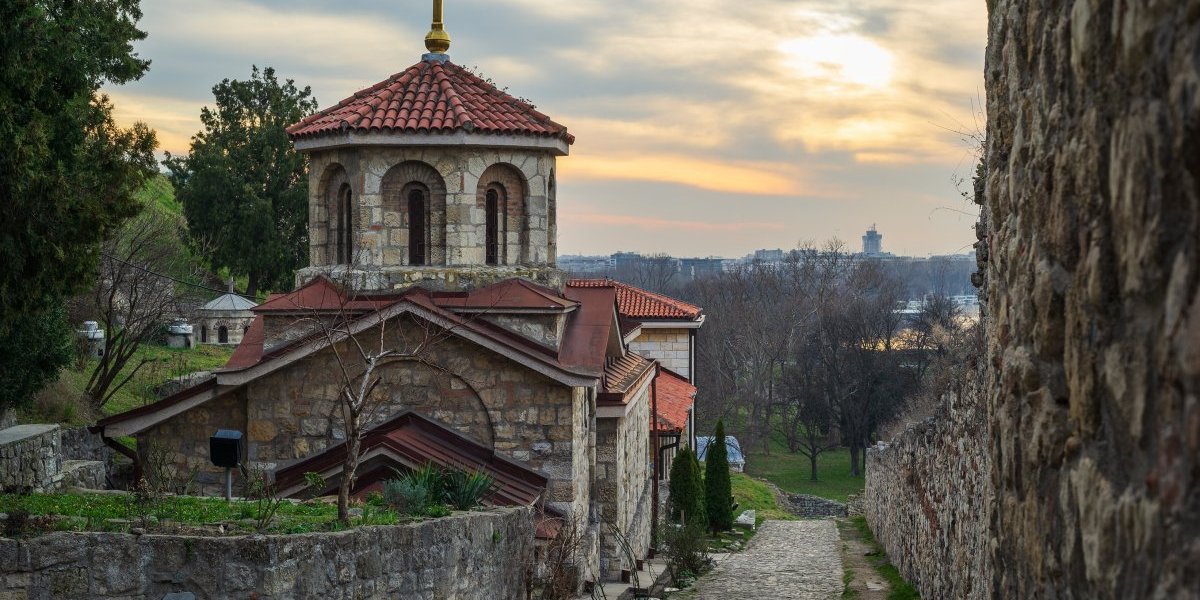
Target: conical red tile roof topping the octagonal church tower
{"x":431,"y":98}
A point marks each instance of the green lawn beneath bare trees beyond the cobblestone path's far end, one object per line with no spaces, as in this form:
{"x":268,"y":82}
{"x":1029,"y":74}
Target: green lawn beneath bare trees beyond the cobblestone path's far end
{"x":791,"y":472}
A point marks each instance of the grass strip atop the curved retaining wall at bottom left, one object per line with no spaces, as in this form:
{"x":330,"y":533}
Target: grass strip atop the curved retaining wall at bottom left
{"x":115,"y":512}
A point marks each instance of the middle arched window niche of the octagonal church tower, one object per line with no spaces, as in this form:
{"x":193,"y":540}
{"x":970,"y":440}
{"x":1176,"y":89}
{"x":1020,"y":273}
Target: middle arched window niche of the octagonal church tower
{"x":399,"y":184}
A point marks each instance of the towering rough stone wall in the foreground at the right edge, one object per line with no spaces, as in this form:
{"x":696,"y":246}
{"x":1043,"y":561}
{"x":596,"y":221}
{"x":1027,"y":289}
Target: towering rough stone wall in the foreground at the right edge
{"x":1094,"y":292}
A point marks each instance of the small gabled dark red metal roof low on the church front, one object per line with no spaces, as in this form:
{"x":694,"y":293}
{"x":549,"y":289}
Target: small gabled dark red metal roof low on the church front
{"x":415,"y":441}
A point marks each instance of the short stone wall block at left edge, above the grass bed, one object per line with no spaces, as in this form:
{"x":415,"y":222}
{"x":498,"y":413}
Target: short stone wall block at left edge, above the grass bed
{"x":29,"y":458}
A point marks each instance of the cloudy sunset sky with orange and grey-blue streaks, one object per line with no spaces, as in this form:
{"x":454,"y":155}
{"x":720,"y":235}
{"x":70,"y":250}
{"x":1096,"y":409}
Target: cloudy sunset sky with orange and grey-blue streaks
{"x":705,"y":128}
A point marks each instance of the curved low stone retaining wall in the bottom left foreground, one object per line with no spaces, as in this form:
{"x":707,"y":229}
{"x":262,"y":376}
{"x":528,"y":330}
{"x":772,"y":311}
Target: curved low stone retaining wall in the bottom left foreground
{"x":476,"y":556}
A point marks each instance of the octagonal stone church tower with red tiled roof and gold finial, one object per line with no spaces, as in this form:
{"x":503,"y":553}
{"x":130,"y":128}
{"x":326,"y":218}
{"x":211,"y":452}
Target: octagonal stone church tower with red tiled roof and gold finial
{"x":433,"y":177}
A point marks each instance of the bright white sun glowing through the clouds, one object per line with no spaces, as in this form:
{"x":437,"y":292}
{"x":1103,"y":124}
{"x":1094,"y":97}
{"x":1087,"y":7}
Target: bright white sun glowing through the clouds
{"x":841,"y":59}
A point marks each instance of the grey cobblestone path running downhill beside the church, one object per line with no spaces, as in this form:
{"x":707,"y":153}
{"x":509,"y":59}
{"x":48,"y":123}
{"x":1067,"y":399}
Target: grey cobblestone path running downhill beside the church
{"x":785,"y":561}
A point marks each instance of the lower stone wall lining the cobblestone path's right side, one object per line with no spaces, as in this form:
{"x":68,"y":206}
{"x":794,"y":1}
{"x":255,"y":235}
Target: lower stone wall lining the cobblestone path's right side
{"x":928,"y":500}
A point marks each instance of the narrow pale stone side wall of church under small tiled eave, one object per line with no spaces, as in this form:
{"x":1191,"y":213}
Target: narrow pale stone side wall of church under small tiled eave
{"x":623,"y":485}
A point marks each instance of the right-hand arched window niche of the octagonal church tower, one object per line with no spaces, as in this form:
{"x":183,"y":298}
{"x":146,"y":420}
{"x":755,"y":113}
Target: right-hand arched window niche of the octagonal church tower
{"x":513,"y":188}
